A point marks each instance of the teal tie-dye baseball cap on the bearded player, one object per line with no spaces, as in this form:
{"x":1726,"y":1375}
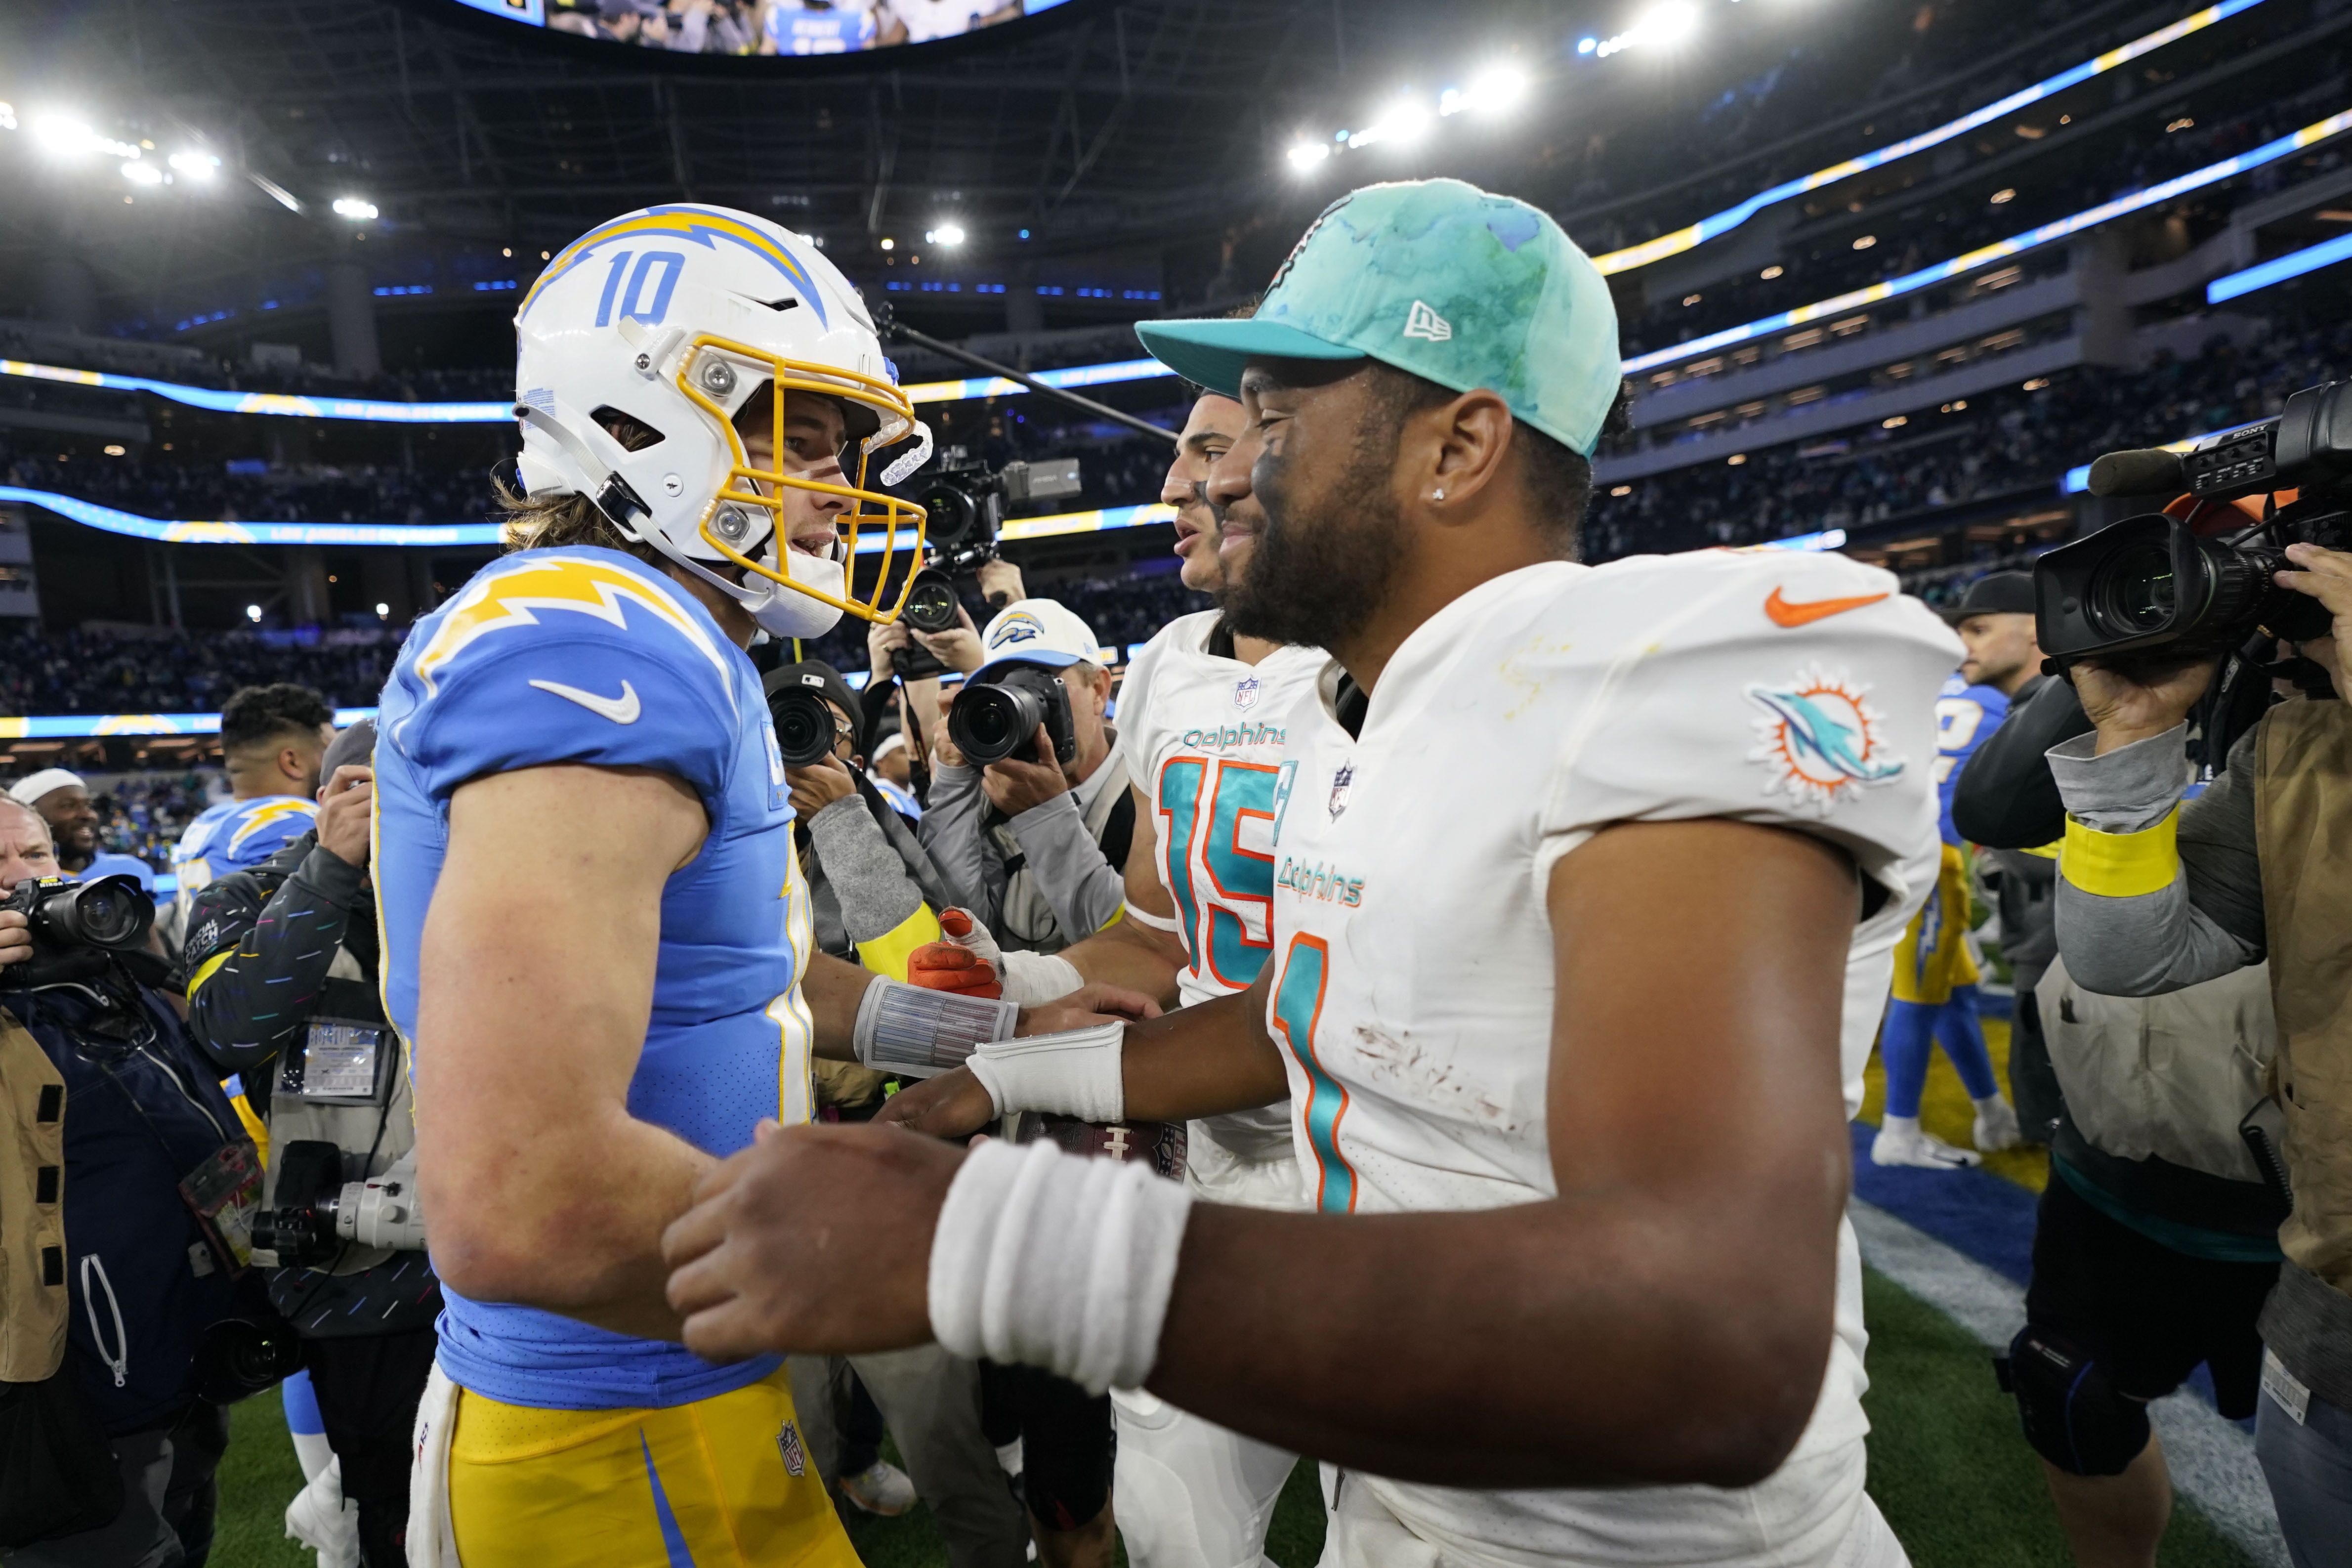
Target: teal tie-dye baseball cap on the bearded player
{"x":1438,"y":279}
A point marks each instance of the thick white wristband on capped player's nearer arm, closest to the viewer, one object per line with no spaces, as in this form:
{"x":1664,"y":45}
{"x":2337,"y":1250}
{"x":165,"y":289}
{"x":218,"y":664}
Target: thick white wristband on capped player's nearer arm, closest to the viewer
{"x":1045,"y":1259}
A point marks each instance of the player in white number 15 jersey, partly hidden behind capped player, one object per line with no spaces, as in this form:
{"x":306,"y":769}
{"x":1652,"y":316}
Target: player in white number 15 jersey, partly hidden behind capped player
{"x":1201,"y":728}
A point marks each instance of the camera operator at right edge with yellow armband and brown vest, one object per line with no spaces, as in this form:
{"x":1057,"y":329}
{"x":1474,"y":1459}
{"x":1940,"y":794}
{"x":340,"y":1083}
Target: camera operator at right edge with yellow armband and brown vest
{"x":2158,"y":894}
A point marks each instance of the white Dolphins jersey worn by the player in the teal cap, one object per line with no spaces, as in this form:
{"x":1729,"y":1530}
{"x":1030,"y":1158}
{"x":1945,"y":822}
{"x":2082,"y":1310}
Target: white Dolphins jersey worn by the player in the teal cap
{"x":1415,"y":953}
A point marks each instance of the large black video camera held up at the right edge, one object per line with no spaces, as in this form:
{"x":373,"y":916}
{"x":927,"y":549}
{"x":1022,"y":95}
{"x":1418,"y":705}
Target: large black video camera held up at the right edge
{"x":2158,"y":591}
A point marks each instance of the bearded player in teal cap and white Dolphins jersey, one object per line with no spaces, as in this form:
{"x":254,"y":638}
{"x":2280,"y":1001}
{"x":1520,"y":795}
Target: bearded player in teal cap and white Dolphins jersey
{"x":1570,"y":871}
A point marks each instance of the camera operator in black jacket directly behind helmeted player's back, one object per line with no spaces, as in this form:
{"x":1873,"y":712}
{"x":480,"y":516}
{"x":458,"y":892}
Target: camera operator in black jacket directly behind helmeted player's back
{"x":281,"y":977}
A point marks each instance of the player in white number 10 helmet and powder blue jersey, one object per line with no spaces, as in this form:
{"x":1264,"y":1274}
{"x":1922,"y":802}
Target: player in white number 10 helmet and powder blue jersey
{"x":596,"y":937}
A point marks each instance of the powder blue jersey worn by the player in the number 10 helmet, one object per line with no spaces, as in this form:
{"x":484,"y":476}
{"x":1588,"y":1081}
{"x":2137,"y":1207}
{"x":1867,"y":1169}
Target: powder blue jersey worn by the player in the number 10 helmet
{"x":589,"y":657}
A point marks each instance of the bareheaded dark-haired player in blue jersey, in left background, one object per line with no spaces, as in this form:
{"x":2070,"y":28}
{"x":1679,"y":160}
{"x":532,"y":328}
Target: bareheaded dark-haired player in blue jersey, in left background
{"x":272,"y":746}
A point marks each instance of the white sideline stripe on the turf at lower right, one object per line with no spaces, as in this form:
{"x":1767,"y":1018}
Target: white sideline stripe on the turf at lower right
{"x":2212,"y":1459}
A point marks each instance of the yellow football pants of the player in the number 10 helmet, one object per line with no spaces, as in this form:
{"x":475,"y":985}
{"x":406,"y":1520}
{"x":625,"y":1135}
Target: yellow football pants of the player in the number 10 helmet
{"x":711,"y":1485}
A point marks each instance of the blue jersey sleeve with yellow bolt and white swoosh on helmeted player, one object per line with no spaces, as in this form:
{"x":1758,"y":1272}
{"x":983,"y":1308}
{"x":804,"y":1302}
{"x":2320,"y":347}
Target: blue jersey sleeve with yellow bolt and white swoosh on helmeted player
{"x":570,"y":659}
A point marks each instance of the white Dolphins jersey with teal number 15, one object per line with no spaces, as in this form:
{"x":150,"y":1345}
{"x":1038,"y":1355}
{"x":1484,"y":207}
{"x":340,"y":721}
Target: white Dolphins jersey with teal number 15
{"x":1205,"y":737}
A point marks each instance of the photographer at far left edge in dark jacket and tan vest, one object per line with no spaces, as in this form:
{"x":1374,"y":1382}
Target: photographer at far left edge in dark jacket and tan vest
{"x":123,"y":1195}
